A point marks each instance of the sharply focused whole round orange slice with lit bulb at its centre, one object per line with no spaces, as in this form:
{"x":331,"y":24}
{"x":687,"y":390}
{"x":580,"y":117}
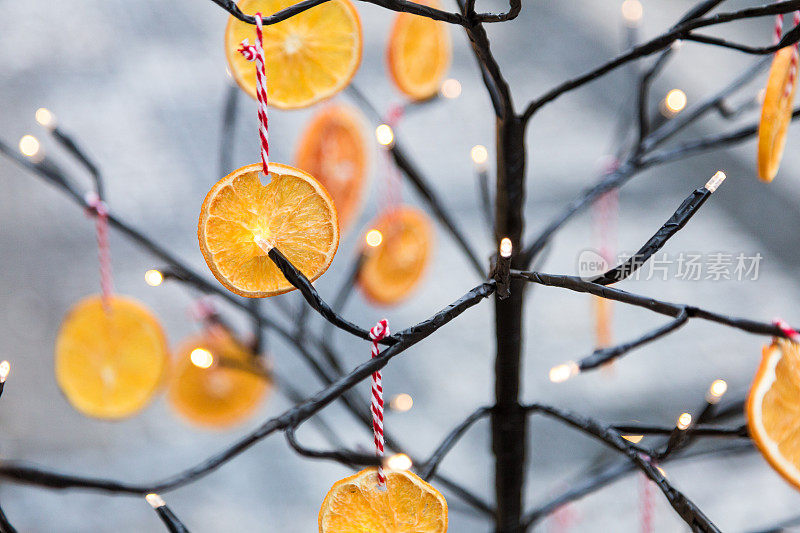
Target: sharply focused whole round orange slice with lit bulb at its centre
{"x":292,"y":212}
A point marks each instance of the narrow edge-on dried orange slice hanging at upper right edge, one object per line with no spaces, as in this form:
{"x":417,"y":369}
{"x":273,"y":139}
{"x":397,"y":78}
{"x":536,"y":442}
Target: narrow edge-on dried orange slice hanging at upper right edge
{"x":776,"y":114}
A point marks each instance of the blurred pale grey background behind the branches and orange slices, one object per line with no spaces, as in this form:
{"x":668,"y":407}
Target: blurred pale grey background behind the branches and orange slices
{"x":142,"y":84}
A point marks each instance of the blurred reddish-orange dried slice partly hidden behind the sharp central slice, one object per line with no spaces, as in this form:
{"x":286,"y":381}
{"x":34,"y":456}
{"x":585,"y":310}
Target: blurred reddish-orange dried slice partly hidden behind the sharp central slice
{"x":333,"y":150}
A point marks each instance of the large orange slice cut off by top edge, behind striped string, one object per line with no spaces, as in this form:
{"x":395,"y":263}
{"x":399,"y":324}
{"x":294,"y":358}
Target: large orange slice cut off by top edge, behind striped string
{"x":309,"y":57}
